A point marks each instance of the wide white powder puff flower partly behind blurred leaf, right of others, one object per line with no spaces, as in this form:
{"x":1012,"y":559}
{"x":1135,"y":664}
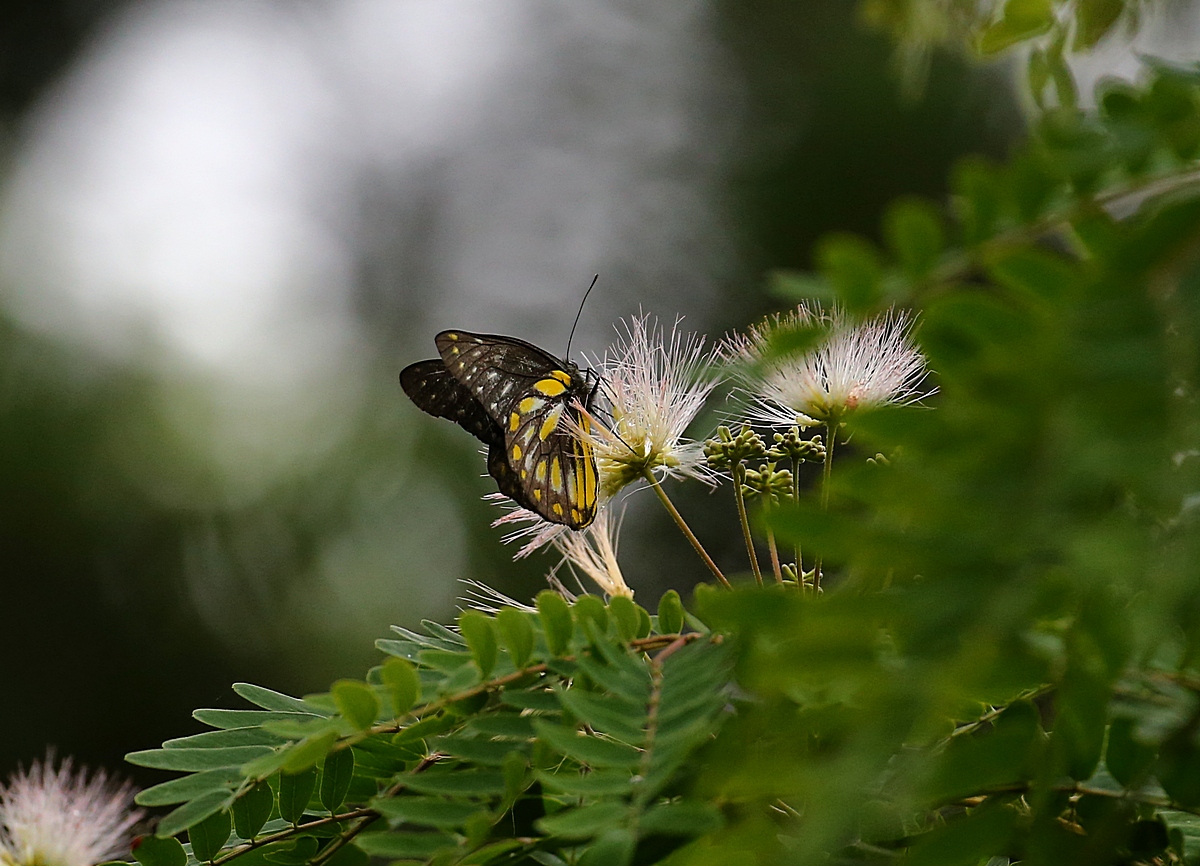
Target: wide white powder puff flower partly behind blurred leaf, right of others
{"x":854,"y":366}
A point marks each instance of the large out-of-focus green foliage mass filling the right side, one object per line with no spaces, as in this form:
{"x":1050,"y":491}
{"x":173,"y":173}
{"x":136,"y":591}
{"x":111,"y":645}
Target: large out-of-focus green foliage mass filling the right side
{"x":1006,"y":670}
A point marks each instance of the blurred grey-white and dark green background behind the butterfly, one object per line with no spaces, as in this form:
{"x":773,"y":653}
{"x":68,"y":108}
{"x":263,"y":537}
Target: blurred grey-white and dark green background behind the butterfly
{"x":226,"y":226}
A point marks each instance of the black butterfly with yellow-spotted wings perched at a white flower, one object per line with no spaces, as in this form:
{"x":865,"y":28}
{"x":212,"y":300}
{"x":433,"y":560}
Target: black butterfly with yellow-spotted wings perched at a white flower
{"x":514,"y":398}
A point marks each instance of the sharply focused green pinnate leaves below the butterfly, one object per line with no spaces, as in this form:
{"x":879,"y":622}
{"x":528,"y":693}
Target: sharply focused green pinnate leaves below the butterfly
{"x":523,"y":738}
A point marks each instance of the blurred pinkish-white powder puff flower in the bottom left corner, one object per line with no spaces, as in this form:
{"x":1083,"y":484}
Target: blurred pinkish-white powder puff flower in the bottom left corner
{"x":64,"y":817}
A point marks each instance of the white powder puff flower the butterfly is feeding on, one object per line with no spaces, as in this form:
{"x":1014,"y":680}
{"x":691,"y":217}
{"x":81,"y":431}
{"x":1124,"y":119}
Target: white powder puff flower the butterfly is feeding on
{"x":655,"y":383}
